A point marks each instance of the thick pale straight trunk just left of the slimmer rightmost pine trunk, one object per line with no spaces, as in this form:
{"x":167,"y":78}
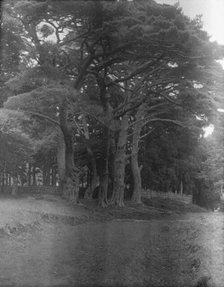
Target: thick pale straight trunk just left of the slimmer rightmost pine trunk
{"x":119,"y":165}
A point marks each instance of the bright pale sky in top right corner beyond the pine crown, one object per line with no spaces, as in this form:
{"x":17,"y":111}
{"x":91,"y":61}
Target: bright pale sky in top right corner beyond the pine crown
{"x":212,"y":15}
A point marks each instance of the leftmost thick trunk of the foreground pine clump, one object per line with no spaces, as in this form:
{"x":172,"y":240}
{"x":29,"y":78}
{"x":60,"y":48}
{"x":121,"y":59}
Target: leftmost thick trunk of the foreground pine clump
{"x":70,"y":187}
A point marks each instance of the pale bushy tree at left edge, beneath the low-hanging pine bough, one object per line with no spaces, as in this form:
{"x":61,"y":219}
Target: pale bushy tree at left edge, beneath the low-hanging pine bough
{"x":16,"y":145}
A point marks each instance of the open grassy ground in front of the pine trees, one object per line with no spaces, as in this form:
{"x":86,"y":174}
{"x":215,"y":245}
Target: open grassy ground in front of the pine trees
{"x":47,"y":242}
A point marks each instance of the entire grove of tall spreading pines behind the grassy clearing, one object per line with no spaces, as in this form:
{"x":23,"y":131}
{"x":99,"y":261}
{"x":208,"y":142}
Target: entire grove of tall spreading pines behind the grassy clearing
{"x":110,"y":95}
